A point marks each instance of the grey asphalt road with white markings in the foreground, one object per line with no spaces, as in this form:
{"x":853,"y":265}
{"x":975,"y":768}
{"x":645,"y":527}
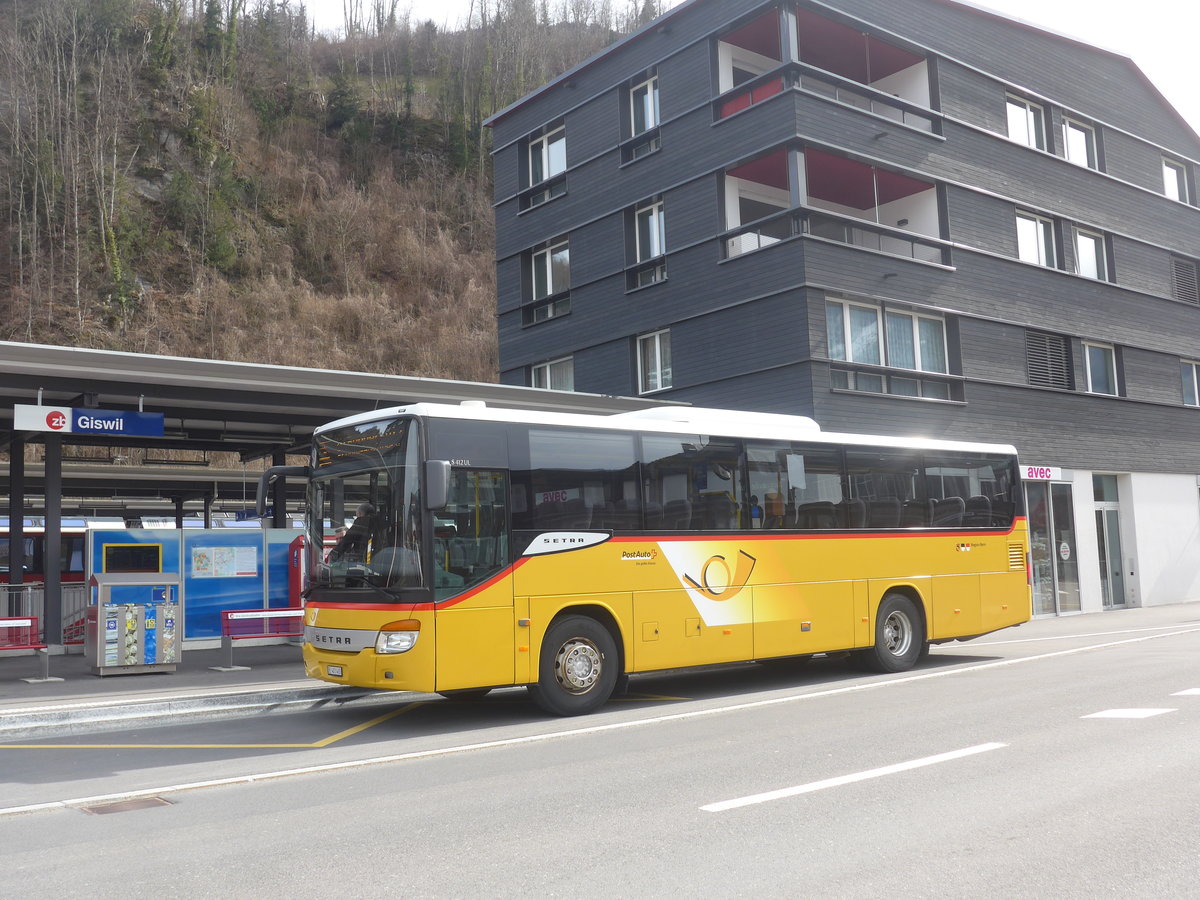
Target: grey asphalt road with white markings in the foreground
{"x":999,"y":770}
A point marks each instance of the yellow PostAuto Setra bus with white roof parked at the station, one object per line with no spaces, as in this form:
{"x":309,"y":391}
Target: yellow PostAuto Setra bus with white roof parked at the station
{"x":477,"y":548}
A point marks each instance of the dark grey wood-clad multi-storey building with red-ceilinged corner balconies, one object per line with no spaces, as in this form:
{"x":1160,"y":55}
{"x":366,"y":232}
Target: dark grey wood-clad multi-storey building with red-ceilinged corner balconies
{"x":896,"y":217}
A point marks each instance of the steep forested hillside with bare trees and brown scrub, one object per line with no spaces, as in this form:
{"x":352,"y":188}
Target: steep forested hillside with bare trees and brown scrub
{"x":209,"y":178}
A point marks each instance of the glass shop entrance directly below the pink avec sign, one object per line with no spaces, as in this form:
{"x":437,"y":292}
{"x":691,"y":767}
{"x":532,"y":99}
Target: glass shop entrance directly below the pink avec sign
{"x":1053,"y":548}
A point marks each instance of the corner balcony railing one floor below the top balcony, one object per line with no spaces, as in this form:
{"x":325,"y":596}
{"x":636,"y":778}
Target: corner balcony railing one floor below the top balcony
{"x":855,"y":232}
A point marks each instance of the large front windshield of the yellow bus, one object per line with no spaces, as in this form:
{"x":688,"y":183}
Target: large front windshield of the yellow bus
{"x":365,"y":509}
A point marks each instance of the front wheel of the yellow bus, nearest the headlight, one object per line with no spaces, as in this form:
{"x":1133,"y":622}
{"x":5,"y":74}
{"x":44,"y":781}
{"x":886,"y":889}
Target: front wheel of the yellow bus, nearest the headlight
{"x":578,"y":670}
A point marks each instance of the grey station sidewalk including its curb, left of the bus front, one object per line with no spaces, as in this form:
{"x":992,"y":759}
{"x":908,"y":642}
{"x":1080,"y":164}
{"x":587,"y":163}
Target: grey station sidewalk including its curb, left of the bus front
{"x":83,"y":703}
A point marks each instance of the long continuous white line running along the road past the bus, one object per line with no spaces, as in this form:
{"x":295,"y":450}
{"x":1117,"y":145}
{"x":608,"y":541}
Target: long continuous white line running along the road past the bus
{"x":874,"y":685}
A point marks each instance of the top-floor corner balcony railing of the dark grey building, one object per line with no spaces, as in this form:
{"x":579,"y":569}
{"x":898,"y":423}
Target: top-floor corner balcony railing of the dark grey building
{"x":830,"y":86}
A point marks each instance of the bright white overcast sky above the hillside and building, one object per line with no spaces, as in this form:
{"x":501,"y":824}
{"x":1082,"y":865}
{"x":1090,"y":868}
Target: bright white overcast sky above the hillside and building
{"x":1159,"y":35}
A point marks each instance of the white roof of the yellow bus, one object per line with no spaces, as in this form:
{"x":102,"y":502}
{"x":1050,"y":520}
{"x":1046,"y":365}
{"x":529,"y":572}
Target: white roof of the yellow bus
{"x":670,"y":421}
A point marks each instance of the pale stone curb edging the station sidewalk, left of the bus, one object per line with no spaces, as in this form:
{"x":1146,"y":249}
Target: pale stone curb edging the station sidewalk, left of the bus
{"x":112,"y":716}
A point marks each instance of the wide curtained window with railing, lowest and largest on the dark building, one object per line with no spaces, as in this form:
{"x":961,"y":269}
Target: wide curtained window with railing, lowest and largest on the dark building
{"x":873,"y":337}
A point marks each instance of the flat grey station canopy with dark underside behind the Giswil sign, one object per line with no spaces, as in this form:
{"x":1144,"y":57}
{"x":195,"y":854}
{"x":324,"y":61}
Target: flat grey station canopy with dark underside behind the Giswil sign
{"x":257,"y":412}
